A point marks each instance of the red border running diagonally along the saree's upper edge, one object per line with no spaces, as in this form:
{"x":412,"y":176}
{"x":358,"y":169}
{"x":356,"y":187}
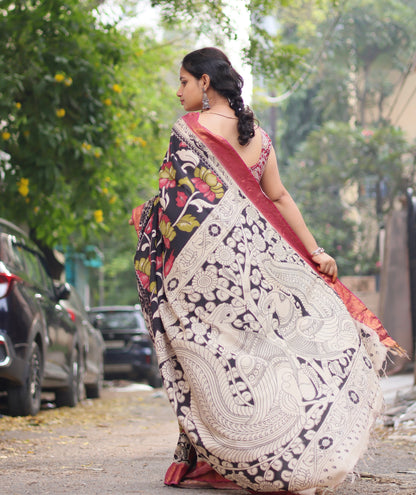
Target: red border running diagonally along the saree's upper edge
{"x":235,"y":166}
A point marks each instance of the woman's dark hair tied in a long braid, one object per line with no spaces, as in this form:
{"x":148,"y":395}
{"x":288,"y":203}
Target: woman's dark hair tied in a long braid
{"x":226,"y":81}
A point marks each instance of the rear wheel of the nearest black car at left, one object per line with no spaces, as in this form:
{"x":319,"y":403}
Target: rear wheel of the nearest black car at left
{"x":25,"y":399}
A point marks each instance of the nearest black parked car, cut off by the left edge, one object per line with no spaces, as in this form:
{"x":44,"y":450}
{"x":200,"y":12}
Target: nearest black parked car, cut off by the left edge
{"x":39,"y":344}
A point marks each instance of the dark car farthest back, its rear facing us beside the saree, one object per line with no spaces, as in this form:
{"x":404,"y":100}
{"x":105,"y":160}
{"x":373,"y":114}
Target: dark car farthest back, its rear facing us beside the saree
{"x":129,"y":349}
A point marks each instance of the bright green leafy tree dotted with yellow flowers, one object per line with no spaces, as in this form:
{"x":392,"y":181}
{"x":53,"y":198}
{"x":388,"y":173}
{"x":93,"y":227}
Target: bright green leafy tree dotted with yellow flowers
{"x":79,"y":103}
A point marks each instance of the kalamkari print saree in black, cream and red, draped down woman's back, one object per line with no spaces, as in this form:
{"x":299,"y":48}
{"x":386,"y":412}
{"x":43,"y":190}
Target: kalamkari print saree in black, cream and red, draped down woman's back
{"x":271,"y":369}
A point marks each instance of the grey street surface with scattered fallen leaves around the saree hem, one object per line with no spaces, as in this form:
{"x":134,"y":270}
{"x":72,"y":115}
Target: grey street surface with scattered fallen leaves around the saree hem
{"x":123,"y":443}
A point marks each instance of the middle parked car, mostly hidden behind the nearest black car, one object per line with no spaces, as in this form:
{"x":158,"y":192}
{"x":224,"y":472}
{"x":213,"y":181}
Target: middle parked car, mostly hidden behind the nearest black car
{"x":92,"y":347}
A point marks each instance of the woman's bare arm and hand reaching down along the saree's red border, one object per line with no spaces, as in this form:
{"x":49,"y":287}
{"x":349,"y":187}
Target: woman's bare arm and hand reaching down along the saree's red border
{"x":274,"y":189}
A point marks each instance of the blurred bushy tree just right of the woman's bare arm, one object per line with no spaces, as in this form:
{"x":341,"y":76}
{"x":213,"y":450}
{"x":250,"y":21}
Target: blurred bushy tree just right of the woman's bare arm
{"x":345,"y":180}
